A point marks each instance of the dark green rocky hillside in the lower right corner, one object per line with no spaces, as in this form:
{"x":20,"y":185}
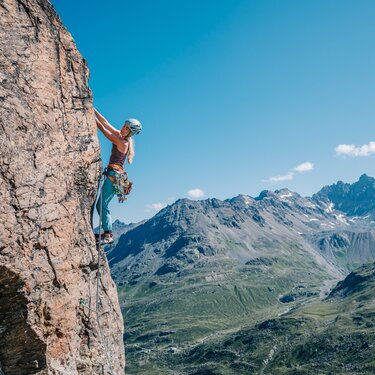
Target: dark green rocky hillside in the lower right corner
{"x":334,"y":336}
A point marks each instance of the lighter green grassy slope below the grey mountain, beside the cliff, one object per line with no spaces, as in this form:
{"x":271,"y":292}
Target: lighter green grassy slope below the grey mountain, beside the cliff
{"x":205,"y":303}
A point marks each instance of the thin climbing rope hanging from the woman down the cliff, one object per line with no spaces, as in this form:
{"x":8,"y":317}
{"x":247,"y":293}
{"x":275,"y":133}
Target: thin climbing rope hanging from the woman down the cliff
{"x":82,"y":301}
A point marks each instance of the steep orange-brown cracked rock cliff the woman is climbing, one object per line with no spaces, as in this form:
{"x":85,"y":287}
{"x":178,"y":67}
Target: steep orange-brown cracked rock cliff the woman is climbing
{"x":49,"y":171}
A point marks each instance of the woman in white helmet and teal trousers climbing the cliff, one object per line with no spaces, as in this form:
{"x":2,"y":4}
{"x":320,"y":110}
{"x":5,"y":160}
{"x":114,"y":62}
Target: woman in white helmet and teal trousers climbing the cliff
{"x":122,"y":149}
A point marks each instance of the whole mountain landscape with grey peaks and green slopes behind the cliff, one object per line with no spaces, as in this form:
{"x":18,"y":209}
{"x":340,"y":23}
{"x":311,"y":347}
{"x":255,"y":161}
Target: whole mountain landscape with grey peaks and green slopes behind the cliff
{"x":219,"y":287}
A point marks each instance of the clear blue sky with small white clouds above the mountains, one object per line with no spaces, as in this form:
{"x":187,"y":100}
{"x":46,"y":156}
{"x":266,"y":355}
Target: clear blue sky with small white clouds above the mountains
{"x":233,"y":95}
